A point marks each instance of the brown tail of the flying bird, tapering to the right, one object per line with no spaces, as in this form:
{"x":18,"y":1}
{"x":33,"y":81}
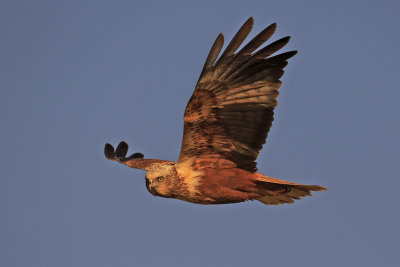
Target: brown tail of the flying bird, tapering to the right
{"x":277,"y":192}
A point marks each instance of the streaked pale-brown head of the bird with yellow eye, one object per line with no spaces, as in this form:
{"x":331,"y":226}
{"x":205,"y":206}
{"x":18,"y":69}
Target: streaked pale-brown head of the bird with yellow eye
{"x":160,"y":179}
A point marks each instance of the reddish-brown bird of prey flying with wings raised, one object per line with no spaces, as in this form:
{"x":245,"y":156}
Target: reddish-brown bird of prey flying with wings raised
{"x":226,"y":123}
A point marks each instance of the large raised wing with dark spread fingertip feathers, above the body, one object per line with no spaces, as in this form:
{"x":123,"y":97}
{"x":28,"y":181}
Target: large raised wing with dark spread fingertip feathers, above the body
{"x":232,"y":107}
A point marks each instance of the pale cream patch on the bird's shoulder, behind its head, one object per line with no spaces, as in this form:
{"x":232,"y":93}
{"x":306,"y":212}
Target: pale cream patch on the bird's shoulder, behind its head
{"x":190,"y":177}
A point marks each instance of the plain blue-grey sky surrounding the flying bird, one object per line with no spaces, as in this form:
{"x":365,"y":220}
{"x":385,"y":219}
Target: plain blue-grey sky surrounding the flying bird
{"x":77,"y":74}
